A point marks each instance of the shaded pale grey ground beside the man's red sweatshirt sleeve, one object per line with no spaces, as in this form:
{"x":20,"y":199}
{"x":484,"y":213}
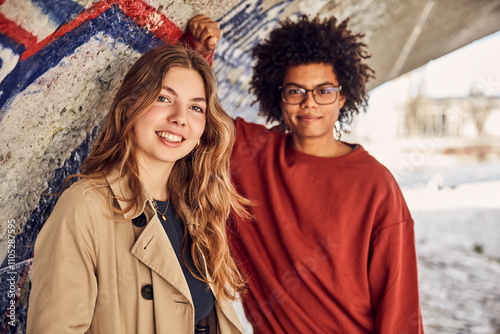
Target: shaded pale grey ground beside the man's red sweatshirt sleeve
{"x":459,"y":266}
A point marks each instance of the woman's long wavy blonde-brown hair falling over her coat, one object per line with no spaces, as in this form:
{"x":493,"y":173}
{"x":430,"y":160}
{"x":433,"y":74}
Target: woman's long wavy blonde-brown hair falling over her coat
{"x":199,"y":185}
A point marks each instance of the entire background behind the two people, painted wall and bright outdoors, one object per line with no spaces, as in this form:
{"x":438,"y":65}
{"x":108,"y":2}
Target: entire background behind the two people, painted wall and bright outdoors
{"x":433,"y":120}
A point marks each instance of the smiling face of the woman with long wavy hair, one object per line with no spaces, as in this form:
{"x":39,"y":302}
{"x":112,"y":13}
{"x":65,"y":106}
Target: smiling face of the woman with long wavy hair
{"x":172,"y":126}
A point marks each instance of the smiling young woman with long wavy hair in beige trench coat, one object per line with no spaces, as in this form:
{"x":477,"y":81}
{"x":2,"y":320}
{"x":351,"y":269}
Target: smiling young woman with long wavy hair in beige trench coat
{"x":138,"y":245}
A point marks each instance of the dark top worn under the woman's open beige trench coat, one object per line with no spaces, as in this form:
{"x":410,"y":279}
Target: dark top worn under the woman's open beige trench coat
{"x":203,"y":297}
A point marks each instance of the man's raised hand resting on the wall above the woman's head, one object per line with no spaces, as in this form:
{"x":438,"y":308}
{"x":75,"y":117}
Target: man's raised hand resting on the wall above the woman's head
{"x":206,"y":33}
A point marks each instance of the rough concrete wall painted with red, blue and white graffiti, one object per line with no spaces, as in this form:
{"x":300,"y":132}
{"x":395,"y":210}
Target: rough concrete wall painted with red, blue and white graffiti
{"x":61,"y":61}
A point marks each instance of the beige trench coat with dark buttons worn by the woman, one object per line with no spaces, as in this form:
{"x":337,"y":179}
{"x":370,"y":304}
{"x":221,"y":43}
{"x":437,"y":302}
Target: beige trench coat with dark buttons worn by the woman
{"x":91,"y":268}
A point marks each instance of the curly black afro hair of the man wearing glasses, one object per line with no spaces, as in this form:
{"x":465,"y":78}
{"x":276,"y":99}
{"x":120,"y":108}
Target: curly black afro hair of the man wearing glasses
{"x":311,"y":42}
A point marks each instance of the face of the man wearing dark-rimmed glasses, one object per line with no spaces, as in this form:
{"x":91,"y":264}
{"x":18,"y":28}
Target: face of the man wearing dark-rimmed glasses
{"x":309,"y":120}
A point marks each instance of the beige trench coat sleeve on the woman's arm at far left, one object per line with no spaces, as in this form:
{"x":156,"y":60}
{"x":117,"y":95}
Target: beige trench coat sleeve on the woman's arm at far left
{"x":64,"y":282}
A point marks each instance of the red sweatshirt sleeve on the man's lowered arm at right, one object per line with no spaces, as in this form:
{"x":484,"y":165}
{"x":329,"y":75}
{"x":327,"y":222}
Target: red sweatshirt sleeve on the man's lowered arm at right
{"x":393,"y":280}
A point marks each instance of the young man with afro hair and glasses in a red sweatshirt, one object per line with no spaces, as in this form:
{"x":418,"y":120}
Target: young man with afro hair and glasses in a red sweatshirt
{"x":331,"y":248}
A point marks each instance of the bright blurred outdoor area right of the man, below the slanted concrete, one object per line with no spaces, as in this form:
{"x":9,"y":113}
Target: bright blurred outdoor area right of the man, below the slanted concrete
{"x":437,"y":128}
